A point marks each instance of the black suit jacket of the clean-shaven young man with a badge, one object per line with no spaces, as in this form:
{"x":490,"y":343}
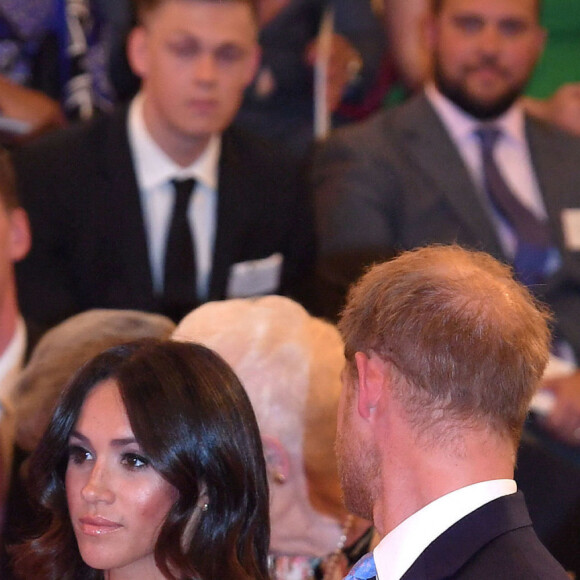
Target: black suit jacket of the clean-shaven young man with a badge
{"x":89,"y":240}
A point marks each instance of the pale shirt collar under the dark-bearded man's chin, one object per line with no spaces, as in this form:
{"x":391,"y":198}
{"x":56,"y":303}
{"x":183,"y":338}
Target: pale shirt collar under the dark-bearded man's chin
{"x":462,"y":126}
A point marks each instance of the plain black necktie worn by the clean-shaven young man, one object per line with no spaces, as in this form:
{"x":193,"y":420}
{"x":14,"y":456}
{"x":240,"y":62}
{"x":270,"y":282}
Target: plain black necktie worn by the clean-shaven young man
{"x":179,"y":290}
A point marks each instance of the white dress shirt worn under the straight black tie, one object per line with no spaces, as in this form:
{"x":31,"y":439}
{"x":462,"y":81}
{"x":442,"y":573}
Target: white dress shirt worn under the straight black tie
{"x":155,"y":171}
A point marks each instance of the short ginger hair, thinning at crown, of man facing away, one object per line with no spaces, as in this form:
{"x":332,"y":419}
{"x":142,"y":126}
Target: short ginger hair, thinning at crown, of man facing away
{"x":465,"y":341}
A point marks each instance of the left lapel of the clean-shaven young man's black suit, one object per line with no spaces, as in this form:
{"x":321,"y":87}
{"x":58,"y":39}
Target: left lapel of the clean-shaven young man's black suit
{"x":128,"y":215}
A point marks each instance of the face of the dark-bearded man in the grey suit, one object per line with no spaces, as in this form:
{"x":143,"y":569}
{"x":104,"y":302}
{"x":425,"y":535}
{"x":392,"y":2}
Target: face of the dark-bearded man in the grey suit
{"x":485,"y":52}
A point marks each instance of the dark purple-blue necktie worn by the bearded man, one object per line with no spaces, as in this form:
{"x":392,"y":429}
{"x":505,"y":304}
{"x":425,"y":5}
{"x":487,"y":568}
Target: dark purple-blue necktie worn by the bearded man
{"x":533,"y":234}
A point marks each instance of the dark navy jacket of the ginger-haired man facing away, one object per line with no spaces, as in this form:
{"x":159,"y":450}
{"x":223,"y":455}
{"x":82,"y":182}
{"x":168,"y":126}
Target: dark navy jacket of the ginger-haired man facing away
{"x":495,"y":542}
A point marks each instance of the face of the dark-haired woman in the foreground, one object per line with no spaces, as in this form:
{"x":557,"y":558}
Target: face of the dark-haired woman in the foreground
{"x":117,"y":501}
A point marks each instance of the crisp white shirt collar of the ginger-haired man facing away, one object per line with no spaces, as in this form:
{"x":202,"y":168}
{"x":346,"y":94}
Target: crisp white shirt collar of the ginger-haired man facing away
{"x":399,"y":549}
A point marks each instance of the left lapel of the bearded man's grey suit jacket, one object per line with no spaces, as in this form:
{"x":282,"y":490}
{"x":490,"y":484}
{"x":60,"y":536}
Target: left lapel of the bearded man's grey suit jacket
{"x":434,"y":153}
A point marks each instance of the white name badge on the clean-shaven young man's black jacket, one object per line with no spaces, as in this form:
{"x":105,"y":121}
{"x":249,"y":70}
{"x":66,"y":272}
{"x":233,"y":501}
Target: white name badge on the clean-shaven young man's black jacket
{"x":255,"y":277}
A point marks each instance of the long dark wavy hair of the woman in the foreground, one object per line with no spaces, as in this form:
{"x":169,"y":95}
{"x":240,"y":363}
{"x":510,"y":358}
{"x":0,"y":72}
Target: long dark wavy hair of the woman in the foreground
{"x":194,"y":421}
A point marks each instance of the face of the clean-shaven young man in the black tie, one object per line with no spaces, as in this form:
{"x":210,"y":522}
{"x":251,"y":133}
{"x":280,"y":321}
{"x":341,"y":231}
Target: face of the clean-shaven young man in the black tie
{"x":195,"y":59}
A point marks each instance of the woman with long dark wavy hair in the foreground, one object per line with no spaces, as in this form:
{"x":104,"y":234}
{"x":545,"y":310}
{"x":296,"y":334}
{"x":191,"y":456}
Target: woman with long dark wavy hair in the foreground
{"x":151,"y":468}
